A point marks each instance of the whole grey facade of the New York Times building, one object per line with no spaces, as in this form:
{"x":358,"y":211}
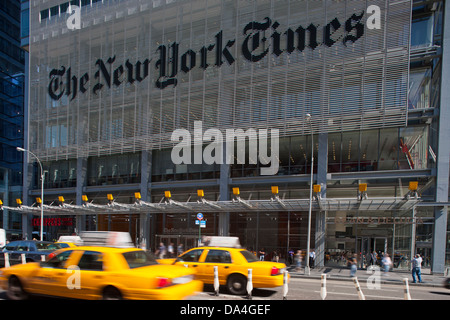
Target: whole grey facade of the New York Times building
{"x":137,"y":96}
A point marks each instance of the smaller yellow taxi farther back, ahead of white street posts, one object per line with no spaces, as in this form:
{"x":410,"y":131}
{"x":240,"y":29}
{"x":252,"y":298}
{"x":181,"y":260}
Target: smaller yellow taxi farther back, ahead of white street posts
{"x":233,"y":265}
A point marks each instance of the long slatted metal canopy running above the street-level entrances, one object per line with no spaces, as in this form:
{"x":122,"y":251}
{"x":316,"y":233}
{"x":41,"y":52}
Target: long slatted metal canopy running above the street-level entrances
{"x":236,"y":205}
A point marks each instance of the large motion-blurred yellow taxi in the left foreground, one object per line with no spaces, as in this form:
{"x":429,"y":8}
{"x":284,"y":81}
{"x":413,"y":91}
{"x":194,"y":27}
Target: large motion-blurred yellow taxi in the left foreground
{"x":100,"y":273}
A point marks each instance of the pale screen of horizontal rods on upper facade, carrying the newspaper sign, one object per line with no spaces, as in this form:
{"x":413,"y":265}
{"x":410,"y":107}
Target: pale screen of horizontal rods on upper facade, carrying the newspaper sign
{"x":355,"y":78}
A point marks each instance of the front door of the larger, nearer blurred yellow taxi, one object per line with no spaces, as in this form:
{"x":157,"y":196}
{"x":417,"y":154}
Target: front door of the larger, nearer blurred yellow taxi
{"x":51,"y":277}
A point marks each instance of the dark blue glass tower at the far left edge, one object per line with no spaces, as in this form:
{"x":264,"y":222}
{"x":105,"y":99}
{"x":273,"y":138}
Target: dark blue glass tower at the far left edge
{"x":12,"y":77}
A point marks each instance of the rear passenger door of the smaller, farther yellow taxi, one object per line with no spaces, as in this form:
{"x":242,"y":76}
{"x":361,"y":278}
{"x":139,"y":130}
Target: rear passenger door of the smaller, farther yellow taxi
{"x":221,"y":258}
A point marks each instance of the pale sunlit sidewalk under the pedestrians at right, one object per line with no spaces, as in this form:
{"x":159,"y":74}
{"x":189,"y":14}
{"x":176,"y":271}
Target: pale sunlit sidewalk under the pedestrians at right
{"x":393,"y":277}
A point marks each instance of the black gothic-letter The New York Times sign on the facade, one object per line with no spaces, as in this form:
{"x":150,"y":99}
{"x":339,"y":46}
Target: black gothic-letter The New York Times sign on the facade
{"x":261,"y":38}
